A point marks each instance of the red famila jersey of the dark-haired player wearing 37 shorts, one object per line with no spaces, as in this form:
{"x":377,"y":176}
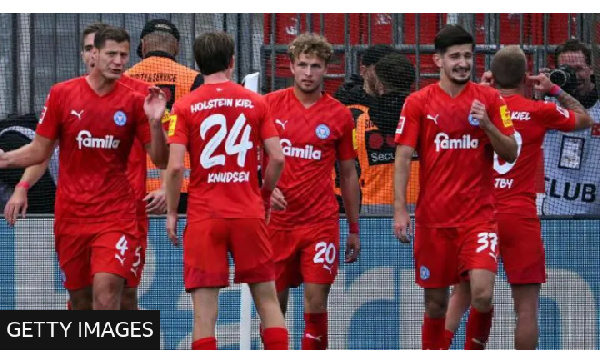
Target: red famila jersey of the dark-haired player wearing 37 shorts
{"x":456,"y":158}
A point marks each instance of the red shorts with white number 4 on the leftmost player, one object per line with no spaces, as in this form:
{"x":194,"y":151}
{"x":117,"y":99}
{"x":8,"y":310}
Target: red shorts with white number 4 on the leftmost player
{"x":87,"y":248}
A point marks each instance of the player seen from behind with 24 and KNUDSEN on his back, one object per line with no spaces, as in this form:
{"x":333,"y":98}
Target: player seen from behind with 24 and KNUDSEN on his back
{"x":222,"y":125}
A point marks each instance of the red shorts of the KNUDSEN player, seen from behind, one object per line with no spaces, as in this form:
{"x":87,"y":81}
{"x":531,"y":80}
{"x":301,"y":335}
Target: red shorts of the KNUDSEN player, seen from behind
{"x":206,"y":244}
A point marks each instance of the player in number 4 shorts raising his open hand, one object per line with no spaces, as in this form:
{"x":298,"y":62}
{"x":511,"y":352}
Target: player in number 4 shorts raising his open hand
{"x":96,"y":120}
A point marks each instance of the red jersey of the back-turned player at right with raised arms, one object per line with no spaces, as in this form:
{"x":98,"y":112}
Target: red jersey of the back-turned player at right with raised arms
{"x":515,"y":183}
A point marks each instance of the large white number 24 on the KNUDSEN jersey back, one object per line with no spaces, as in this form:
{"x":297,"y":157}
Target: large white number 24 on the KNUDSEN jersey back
{"x":207,"y":160}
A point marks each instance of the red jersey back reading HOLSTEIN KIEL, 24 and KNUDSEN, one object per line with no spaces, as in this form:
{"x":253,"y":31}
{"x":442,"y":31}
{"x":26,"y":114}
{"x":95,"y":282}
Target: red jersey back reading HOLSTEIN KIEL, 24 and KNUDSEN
{"x":222,"y":125}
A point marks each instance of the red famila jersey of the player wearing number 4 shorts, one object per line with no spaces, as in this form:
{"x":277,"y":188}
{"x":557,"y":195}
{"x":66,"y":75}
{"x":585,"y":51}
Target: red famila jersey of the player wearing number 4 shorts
{"x":95,"y":135}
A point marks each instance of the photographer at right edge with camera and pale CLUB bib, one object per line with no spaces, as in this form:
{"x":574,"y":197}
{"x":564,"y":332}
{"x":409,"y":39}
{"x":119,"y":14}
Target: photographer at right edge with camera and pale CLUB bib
{"x":570,"y":158}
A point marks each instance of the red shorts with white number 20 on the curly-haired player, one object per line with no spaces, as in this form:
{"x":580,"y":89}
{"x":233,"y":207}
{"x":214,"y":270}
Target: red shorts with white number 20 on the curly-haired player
{"x":308,"y":254}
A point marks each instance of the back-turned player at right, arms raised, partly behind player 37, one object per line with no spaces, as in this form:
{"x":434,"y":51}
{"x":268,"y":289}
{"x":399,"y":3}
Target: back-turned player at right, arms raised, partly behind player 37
{"x":521,"y":246}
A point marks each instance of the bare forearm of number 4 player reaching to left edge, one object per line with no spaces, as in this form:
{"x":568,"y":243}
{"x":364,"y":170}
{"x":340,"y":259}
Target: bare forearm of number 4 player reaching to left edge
{"x":31,"y":154}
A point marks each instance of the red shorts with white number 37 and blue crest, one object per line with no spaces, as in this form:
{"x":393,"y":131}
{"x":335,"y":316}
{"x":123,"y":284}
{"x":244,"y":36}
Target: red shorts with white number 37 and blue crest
{"x":444,"y":256}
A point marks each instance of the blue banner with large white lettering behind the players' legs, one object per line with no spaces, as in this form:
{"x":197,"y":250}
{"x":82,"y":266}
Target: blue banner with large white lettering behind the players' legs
{"x":374,"y":303}
